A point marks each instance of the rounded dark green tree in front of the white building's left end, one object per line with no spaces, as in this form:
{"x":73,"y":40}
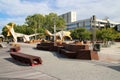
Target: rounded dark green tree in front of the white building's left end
{"x":81,"y":34}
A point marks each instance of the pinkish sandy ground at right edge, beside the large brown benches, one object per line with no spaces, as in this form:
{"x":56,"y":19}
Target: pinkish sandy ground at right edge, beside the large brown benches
{"x":110,"y":54}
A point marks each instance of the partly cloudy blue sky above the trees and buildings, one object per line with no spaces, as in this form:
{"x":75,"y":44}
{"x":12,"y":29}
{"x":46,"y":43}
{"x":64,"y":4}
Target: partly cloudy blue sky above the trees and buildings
{"x":17,"y":10}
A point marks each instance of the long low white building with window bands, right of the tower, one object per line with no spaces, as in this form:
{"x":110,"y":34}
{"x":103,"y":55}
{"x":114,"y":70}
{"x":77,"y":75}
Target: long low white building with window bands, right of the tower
{"x":91,"y":22}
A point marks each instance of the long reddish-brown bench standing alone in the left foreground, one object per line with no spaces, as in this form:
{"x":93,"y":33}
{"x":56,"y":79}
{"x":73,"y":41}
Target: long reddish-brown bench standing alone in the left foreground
{"x":25,"y":58}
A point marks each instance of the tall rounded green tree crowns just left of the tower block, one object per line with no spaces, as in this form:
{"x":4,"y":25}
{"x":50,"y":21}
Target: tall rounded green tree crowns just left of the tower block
{"x":37,"y":20}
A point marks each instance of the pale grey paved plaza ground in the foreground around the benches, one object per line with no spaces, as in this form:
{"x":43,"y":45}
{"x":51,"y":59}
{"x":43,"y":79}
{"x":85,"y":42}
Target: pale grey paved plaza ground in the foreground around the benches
{"x":55,"y":67}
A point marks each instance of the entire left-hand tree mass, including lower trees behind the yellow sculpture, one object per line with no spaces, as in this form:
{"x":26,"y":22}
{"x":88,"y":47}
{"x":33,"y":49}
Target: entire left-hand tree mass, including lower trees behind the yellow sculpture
{"x":37,"y":23}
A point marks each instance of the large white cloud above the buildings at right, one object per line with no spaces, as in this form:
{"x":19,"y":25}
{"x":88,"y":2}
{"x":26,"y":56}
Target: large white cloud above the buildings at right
{"x":87,"y":8}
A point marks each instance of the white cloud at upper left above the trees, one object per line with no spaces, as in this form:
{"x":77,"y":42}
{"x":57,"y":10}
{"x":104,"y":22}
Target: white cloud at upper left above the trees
{"x":18,"y":8}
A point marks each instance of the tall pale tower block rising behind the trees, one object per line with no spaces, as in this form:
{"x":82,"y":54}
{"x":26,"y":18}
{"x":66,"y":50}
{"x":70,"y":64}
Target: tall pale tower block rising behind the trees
{"x":69,"y":17}
